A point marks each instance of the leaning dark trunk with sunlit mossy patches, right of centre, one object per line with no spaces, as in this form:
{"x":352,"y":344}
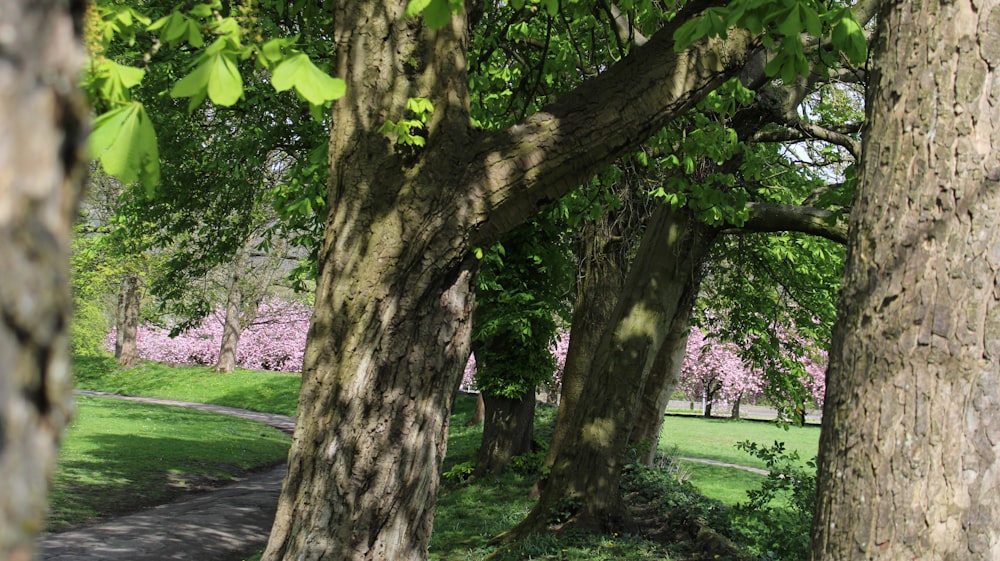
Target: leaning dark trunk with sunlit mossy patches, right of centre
{"x":587,"y":469}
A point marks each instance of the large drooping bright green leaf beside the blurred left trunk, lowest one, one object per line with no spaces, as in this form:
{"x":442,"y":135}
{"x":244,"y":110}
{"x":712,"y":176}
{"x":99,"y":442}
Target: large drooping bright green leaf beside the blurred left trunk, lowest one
{"x":124,"y":141}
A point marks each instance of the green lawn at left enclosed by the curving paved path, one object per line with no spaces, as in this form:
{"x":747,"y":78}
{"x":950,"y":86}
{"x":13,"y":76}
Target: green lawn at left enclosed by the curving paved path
{"x":118,"y":457}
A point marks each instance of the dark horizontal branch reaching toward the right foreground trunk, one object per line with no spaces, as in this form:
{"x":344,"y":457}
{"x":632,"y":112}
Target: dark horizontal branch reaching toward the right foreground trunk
{"x":765,"y":217}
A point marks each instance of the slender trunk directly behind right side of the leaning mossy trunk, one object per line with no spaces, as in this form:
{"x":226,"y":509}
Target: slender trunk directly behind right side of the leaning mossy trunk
{"x":663,"y":379}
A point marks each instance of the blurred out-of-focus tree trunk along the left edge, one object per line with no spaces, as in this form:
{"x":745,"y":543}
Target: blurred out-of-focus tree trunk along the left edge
{"x":41,"y":120}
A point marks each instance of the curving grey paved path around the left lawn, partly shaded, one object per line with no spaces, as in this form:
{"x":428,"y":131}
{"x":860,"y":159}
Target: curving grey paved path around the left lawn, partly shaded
{"x":226,"y":524}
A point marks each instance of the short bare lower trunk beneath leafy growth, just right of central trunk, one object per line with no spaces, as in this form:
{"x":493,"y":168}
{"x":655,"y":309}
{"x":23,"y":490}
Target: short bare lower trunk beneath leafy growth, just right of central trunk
{"x":508,"y":431}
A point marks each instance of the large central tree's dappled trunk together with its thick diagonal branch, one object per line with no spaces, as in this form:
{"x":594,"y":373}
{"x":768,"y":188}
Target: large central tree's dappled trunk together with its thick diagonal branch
{"x":390,"y":333}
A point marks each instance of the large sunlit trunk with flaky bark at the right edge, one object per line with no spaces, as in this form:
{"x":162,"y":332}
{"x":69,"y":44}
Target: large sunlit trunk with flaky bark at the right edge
{"x":908,"y":465}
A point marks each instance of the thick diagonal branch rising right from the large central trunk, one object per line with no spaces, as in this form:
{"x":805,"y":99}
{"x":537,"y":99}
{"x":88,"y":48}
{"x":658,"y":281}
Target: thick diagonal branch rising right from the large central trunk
{"x":516,"y":171}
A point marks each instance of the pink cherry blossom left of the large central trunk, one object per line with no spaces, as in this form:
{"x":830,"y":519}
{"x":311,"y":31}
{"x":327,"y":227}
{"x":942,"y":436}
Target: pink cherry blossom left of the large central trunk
{"x":274,"y":341}
